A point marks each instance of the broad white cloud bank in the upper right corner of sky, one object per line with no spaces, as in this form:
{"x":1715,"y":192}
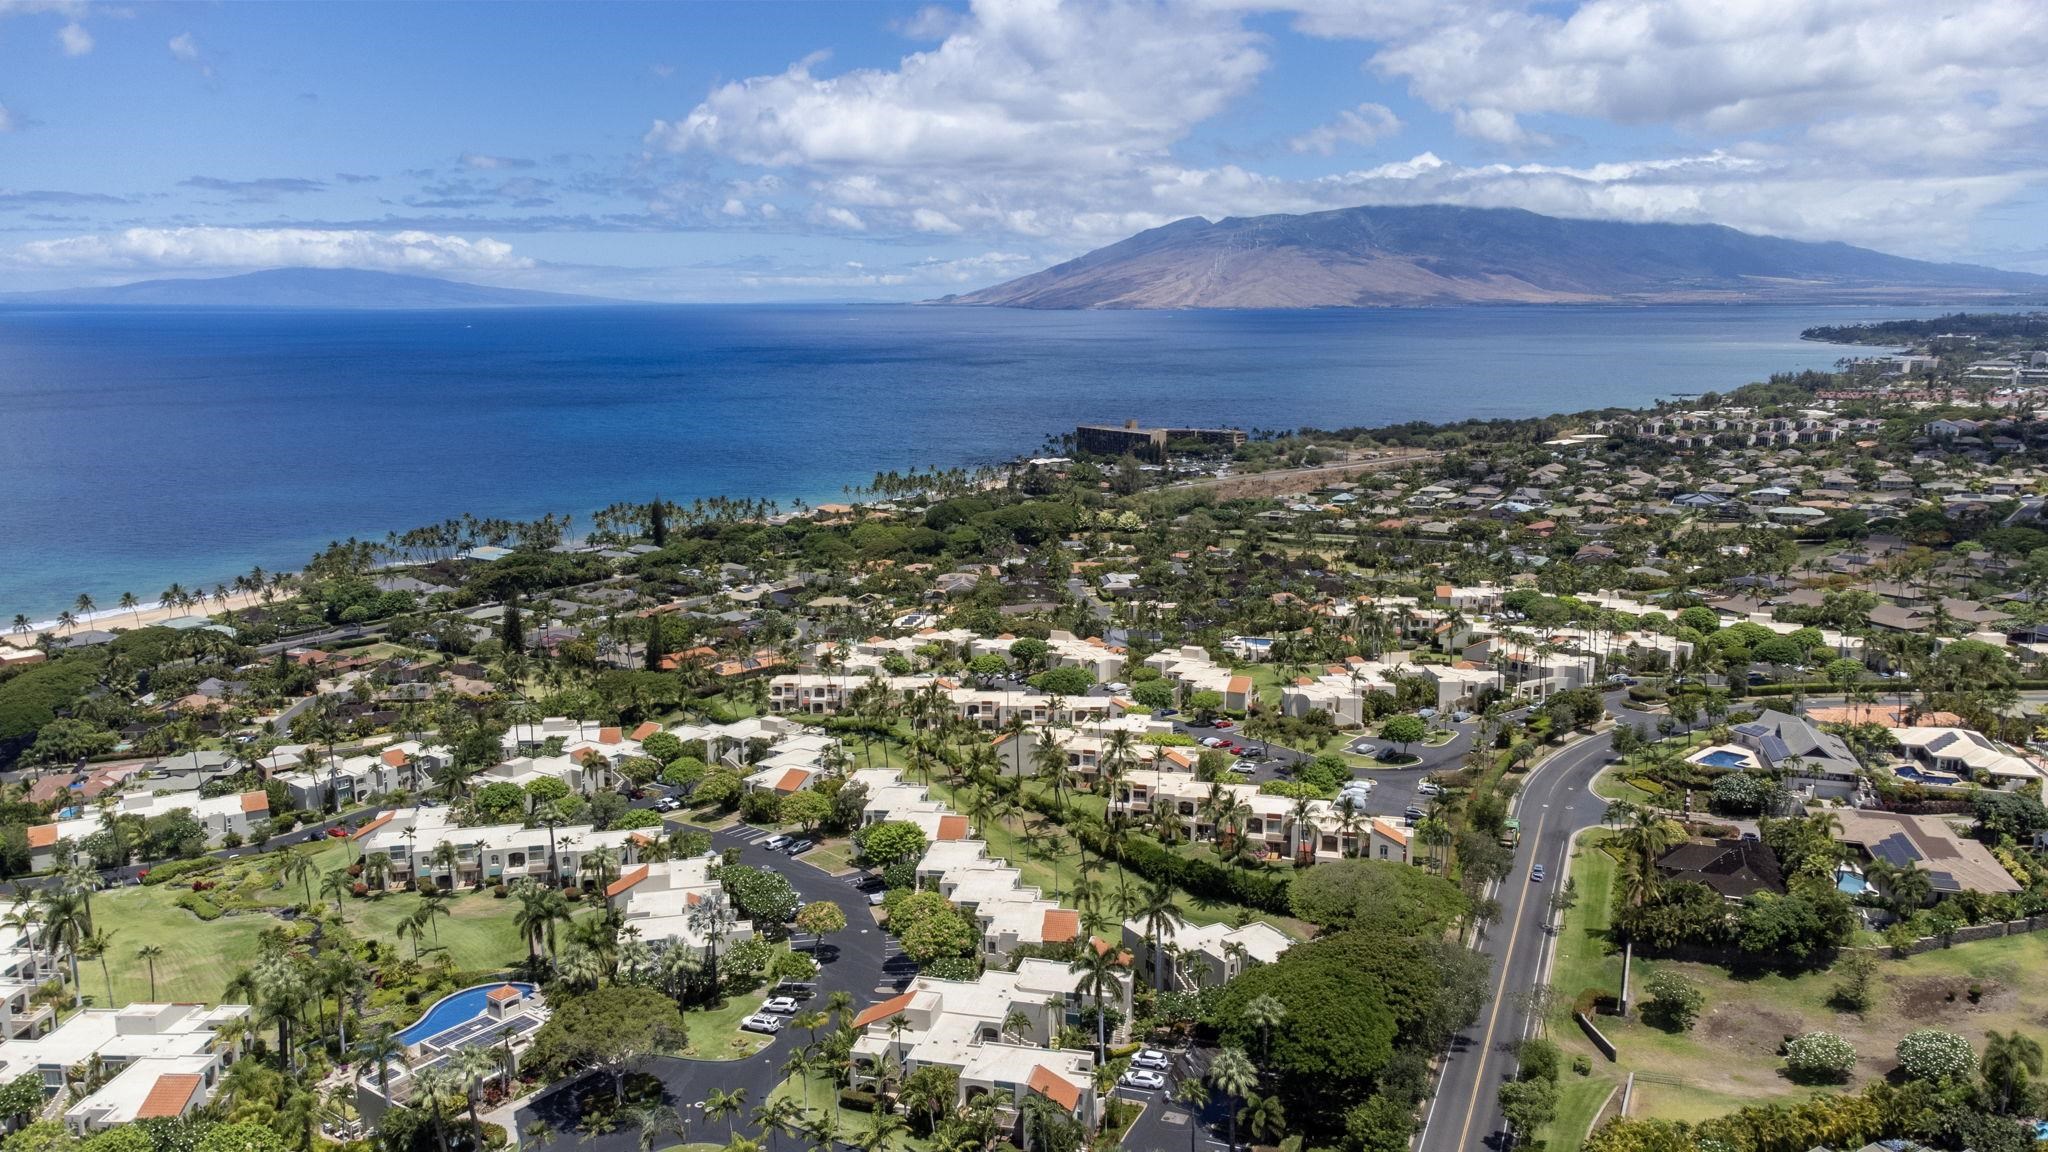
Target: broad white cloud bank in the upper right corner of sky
{"x":1850,"y":77}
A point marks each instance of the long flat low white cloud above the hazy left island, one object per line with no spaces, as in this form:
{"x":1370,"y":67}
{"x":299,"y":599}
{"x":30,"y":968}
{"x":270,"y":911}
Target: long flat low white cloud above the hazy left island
{"x":273,"y":249}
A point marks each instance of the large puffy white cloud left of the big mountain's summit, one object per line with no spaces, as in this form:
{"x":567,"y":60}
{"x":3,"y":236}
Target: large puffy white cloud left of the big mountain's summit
{"x":1015,"y":87}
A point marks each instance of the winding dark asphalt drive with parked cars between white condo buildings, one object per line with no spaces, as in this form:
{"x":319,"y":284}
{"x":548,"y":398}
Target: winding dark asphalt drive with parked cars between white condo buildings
{"x":861,"y":960}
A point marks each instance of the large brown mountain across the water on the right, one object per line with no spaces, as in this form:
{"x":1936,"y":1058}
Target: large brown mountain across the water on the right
{"x":1441,"y":255}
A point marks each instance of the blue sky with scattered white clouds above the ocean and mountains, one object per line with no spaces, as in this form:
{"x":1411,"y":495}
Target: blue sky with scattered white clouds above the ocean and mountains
{"x":878,"y":151}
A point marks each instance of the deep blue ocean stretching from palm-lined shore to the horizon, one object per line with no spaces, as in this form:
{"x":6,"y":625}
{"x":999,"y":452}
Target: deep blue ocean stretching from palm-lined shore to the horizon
{"x":144,"y":448}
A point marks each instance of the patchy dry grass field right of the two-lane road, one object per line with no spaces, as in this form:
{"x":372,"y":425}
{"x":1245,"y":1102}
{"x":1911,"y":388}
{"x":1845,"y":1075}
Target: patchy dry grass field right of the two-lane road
{"x":1730,"y":1059}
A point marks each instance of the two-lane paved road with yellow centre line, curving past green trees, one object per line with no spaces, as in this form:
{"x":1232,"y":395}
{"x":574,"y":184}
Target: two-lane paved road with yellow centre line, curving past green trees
{"x":1555,"y":805}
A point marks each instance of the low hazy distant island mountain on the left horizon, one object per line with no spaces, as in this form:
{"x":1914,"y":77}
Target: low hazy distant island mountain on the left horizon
{"x":304,"y":288}
